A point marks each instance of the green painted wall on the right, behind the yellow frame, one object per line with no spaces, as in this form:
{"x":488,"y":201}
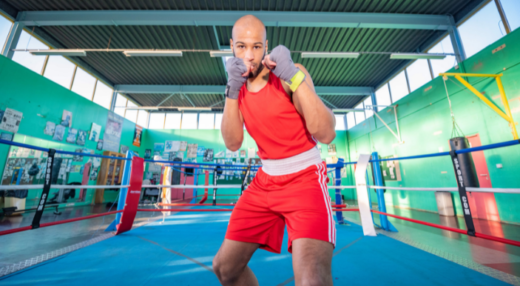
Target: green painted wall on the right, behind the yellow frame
{"x":426,"y":126}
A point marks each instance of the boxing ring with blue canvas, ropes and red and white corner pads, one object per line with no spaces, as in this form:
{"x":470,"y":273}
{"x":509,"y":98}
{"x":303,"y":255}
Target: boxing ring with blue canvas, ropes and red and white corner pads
{"x":179,"y":249}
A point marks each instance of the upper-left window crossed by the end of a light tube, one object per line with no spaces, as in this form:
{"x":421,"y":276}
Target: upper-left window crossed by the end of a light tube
{"x":34,"y":63}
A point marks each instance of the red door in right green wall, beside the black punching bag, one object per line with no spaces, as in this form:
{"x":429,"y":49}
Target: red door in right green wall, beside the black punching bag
{"x":483,"y":205}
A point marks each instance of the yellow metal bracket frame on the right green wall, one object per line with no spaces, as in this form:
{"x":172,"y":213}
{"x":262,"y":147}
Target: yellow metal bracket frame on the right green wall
{"x":507,"y":115}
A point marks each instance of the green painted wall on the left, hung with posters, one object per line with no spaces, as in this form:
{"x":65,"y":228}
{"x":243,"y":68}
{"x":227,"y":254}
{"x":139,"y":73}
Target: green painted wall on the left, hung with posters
{"x":42,"y":100}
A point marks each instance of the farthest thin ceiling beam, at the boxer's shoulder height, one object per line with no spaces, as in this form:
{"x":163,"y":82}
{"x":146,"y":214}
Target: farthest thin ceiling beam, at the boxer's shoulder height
{"x":219,"y":89}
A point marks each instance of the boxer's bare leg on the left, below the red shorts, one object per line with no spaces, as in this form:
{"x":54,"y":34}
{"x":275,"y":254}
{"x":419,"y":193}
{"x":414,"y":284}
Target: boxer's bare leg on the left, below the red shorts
{"x":230,"y":263}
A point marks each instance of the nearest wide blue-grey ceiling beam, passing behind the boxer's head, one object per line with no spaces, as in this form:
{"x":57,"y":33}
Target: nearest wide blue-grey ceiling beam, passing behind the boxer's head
{"x":228,"y":18}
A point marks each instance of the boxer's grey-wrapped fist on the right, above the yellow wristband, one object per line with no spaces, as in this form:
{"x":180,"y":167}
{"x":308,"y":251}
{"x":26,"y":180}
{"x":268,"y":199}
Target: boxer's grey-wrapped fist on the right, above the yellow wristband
{"x":279,"y":61}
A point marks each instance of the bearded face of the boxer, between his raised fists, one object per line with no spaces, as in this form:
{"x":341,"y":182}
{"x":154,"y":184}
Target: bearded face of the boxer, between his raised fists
{"x":250,"y":45}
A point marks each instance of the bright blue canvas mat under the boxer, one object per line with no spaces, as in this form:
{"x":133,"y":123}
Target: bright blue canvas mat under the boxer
{"x":180,"y":251}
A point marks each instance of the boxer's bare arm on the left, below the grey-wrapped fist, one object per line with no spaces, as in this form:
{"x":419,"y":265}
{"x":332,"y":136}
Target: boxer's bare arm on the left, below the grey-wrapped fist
{"x":232,"y":127}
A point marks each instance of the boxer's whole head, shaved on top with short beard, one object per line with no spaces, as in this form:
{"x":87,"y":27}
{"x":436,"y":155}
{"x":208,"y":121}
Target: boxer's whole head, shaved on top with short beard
{"x":249,"y":42}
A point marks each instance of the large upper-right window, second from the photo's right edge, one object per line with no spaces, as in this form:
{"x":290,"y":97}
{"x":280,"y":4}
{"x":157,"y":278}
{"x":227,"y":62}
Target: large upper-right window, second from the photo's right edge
{"x":481,"y":30}
